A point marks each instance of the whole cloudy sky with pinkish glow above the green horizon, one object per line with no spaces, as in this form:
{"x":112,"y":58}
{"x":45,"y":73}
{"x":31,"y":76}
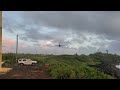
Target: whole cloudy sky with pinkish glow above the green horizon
{"x":82,"y":32}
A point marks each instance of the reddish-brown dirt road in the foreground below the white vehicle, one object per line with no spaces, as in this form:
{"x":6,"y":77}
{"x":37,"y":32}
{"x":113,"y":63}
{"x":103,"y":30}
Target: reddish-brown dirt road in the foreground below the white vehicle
{"x":27,"y":72}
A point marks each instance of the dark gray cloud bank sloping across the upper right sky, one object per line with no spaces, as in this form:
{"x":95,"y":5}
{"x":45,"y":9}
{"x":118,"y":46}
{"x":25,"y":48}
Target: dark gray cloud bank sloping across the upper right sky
{"x":79,"y":21}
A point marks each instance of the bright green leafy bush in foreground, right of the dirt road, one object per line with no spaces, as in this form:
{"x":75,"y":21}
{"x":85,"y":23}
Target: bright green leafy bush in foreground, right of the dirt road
{"x":77,"y":70}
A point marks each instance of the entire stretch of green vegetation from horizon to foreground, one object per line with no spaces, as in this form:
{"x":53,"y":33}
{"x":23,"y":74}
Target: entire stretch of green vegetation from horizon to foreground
{"x":71,"y":66}
